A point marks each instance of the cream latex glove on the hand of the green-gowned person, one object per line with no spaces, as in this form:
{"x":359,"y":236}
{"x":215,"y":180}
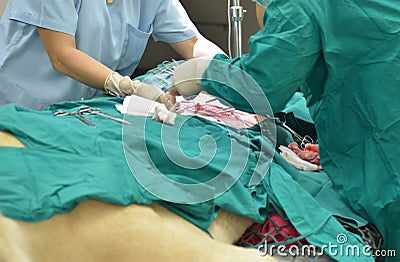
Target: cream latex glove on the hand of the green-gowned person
{"x":187,"y":77}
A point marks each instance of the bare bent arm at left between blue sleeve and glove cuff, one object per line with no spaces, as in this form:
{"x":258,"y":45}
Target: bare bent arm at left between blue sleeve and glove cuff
{"x":68,"y":60}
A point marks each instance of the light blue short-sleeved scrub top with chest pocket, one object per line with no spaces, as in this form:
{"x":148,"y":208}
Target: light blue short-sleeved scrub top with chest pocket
{"x":114,"y":33}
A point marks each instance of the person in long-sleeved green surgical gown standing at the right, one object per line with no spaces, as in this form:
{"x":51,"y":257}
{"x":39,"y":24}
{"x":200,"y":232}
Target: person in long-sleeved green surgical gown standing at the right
{"x":345,"y":57}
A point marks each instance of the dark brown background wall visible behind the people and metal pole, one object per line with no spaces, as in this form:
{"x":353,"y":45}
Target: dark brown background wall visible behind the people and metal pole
{"x":211,"y":18}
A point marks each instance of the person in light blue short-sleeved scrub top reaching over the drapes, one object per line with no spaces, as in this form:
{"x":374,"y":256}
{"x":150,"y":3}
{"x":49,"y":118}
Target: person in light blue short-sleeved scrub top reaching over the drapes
{"x":53,"y":51}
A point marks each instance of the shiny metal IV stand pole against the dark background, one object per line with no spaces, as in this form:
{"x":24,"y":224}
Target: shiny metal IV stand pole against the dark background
{"x":237,"y":12}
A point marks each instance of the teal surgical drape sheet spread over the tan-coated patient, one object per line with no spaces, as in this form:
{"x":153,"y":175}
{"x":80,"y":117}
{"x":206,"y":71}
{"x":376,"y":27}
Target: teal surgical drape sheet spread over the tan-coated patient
{"x":66,"y":162}
